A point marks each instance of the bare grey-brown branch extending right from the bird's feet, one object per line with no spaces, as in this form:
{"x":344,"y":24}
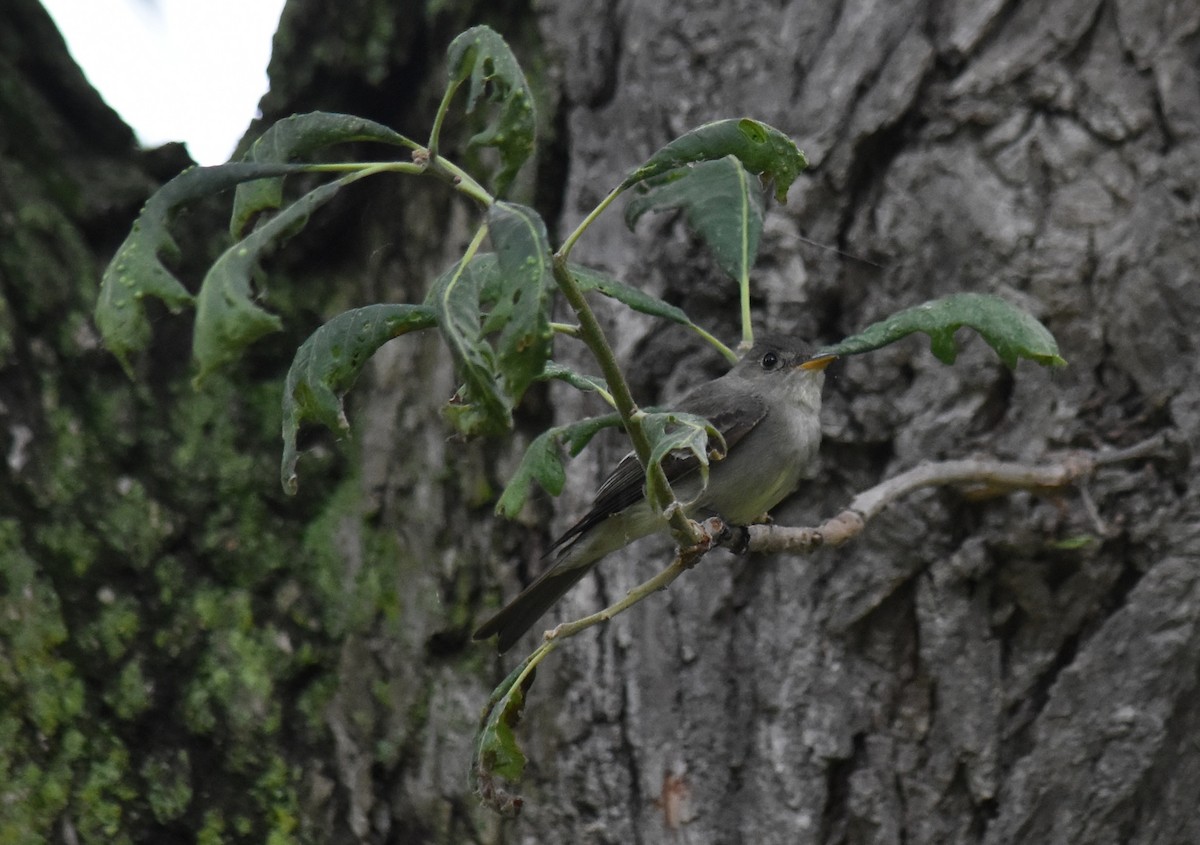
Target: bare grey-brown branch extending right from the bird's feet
{"x":982,"y":478}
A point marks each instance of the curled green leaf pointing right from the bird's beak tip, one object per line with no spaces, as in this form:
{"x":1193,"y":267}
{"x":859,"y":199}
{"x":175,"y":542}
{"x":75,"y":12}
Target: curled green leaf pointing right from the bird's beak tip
{"x":1011,"y":332}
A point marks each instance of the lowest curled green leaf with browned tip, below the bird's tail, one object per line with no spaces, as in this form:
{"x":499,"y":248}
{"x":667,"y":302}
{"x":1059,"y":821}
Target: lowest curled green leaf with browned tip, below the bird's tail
{"x":497,"y":754}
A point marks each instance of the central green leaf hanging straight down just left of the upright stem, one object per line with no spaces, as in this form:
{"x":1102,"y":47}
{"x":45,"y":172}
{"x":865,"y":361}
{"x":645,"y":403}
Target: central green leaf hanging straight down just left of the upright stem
{"x":521,"y":301}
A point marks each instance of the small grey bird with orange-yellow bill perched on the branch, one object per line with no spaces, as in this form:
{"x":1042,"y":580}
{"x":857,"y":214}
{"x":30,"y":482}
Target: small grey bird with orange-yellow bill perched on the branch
{"x":767,"y":407}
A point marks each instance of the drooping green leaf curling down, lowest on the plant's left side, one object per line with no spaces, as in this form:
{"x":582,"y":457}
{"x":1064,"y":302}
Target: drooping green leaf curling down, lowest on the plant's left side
{"x":327,"y":365}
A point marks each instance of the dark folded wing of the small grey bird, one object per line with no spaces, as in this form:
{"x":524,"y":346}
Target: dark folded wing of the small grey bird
{"x":627,"y":484}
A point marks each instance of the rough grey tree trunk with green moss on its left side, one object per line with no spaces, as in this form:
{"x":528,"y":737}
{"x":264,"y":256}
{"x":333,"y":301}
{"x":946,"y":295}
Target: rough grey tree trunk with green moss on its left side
{"x":1013,"y":670}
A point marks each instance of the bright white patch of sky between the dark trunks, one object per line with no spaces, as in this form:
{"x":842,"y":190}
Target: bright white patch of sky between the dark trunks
{"x":176,"y":70}
